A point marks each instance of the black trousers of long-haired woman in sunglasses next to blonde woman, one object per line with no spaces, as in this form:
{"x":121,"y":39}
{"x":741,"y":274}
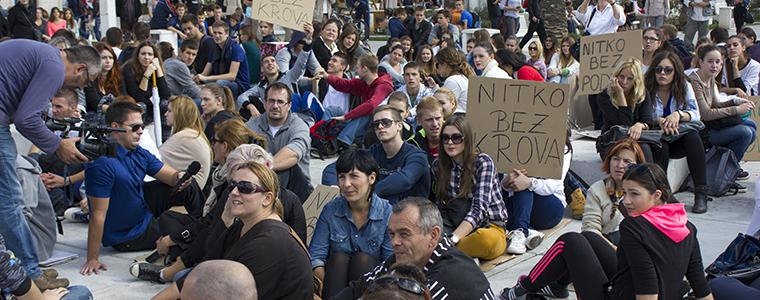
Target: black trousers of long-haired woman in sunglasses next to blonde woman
{"x":690,"y":145}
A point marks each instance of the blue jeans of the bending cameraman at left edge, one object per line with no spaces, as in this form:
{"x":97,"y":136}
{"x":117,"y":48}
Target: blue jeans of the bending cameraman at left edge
{"x":13,"y":226}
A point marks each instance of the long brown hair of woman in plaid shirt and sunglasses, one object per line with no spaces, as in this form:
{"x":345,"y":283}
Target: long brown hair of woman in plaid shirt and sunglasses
{"x":446,"y":163}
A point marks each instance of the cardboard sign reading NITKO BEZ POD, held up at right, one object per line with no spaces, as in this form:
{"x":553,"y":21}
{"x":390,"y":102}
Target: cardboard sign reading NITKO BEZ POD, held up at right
{"x":601,"y":54}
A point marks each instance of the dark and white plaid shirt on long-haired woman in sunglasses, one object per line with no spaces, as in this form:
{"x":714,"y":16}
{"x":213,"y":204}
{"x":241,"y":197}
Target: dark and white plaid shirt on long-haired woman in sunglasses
{"x":487,"y":201}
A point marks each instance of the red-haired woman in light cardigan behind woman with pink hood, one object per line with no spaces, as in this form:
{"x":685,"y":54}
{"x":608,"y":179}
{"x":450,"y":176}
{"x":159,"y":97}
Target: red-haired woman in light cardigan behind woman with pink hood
{"x":600,"y":213}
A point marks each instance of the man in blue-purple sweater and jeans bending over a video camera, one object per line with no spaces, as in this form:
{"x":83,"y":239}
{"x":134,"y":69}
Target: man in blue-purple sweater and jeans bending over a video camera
{"x":30,"y":76}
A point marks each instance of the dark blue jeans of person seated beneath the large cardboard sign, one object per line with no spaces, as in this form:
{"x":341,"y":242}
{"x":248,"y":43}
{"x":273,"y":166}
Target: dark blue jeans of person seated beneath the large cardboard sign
{"x":527,"y":209}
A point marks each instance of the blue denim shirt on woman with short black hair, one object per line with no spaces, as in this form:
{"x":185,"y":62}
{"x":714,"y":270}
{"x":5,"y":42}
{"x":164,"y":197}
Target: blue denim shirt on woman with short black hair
{"x":336,"y":231}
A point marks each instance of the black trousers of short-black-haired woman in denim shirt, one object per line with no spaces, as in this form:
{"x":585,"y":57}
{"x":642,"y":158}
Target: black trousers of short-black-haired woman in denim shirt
{"x":342,"y":268}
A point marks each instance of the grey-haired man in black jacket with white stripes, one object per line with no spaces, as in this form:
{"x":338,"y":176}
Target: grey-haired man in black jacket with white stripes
{"x":415,"y":229}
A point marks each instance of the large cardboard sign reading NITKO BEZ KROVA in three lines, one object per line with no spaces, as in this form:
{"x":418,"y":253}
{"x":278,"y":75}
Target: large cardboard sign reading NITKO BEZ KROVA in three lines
{"x":520,"y":124}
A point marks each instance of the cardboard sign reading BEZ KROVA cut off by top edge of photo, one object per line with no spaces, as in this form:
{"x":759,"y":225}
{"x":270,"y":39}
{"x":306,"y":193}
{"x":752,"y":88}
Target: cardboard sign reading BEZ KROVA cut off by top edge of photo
{"x":287,"y":13}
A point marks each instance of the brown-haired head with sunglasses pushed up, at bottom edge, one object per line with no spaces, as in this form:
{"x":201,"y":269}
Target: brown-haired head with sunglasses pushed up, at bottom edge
{"x":402,"y":282}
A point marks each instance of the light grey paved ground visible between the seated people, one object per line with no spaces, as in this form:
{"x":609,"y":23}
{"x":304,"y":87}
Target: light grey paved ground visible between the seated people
{"x":726,"y":217}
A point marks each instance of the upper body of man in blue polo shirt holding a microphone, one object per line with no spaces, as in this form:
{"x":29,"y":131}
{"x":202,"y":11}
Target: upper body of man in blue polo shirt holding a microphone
{"x":115,"y":190}
